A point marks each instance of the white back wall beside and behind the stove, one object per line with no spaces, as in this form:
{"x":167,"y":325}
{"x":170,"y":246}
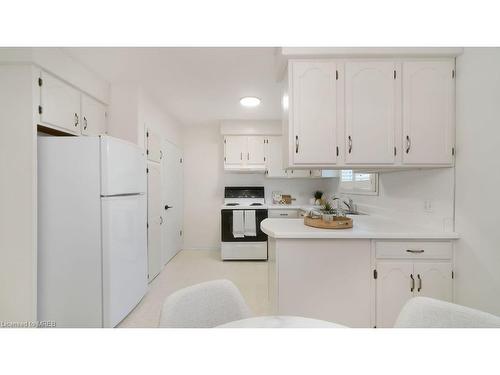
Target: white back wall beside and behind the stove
{"x":204,"y":181}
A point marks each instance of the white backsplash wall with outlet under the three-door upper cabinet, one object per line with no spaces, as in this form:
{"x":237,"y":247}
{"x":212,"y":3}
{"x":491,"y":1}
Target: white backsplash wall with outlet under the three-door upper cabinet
{"x":402,"y":196}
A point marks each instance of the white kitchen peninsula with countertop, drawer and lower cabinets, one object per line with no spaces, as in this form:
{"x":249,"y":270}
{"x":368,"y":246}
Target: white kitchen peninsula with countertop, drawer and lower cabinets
{"x":360,"y":277}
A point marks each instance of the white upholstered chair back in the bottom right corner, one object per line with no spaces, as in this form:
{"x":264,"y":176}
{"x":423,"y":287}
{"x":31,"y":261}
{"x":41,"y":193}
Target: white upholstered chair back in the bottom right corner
{"x":422,"y":312}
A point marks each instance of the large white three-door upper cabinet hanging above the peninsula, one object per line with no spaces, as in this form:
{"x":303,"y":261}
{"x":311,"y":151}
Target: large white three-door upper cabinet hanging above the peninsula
{"x":369,"y":114}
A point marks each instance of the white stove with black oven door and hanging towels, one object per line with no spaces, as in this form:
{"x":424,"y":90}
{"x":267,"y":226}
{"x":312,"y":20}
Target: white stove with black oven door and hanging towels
{"x":243,"y":210}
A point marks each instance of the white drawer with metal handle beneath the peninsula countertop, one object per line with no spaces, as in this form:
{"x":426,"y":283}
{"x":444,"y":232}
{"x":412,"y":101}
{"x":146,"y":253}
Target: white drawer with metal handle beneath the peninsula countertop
{"x":413,"y":249}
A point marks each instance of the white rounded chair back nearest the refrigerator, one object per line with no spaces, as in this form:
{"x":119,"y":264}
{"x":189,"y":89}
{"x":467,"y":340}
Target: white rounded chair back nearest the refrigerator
{"x":204,"y":305}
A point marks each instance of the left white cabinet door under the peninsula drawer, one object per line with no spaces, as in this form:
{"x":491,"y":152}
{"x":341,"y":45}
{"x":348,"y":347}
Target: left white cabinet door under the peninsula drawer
{"x":394,"y":288}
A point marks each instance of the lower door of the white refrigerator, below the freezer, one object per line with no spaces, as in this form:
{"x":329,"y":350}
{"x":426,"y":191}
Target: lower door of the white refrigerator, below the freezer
{"x":124,"y":241}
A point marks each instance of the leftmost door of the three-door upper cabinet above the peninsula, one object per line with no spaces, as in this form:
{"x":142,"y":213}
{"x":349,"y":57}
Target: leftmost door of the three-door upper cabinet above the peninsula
{"x":313,"y":113}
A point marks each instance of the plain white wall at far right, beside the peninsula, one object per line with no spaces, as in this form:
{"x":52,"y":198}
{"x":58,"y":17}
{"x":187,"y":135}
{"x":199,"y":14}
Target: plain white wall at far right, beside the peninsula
{"x":478,"y":179}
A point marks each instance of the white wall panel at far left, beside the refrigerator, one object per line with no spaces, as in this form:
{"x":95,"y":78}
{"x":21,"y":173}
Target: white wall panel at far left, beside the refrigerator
{"x":18,"y":193}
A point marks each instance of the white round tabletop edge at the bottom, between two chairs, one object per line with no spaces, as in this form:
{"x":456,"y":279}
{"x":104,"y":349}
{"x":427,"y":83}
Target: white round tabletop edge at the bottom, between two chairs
{"x":280,"y":322}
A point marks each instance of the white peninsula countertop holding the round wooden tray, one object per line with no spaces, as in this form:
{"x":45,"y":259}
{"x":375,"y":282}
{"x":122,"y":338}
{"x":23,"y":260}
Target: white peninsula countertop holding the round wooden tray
{"x":364,"y":226}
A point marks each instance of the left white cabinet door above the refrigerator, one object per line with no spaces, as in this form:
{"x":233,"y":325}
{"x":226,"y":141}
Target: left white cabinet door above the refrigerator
{"x":60,"y":104}
